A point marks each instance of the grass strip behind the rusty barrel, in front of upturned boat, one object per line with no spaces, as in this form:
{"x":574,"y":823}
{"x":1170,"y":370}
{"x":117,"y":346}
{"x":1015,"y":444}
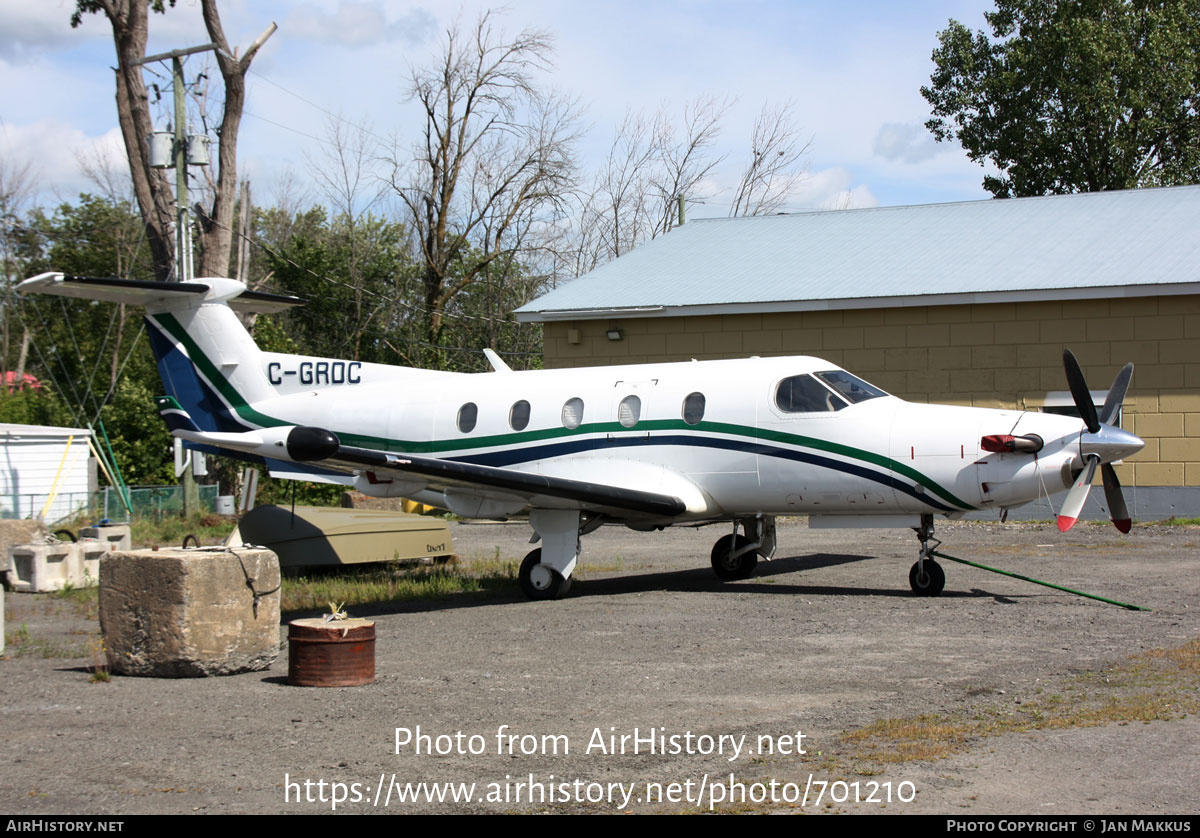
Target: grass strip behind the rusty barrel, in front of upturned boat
{"x":391,"y":584}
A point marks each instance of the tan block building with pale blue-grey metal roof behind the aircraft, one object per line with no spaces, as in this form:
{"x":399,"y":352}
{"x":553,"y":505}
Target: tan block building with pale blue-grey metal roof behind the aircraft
{"x":964,"y":304}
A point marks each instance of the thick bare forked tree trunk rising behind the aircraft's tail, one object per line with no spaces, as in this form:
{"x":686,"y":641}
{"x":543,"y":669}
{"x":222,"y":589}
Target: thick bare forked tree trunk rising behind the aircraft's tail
{"x":153,"y":190}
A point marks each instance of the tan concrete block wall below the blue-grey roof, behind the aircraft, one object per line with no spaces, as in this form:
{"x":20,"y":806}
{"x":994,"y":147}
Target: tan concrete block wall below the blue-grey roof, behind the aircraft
{"x":987,"y":355}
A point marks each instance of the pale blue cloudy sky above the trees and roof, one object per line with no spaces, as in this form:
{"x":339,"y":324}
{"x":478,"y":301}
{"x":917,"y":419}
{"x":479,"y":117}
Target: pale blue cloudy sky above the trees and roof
{"x":853,"y":71}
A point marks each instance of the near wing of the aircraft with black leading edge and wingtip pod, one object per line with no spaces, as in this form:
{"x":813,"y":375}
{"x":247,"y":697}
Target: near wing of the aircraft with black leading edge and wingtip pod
{"x":321,"y":447}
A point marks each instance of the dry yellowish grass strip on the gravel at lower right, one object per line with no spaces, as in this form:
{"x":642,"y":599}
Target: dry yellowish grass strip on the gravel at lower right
{"x":1154,"y":686}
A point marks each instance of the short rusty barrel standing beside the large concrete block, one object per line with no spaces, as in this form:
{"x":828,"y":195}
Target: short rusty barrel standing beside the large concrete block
{"x":335,"y":654}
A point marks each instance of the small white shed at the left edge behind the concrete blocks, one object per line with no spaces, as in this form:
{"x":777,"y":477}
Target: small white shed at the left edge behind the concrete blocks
{"x":45,"y":471}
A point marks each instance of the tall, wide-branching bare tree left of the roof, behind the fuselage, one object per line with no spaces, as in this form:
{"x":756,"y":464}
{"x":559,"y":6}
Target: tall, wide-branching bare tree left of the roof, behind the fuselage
{"x":496,"y":159}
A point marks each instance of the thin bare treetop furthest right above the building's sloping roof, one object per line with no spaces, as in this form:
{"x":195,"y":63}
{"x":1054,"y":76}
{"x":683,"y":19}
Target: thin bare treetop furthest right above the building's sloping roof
{"x":776,"y":167}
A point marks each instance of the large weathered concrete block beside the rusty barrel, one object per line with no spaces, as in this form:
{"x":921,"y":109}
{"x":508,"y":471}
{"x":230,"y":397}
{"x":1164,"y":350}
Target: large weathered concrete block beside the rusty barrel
{"x":190,"y":613}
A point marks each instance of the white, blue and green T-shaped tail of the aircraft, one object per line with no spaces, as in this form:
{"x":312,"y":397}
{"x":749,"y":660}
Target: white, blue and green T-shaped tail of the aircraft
{"x":208,"y":362}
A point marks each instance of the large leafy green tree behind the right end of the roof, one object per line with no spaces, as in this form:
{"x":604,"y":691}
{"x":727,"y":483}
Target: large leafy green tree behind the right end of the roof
{"x":1075,"y":95}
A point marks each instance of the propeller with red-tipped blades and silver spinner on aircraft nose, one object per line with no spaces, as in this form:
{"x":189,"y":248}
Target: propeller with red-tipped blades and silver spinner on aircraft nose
{"x":1101,"y":442}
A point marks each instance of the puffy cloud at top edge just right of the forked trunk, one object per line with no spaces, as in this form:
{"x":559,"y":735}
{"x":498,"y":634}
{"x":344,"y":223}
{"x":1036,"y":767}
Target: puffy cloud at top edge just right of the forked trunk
{"x":359,"y":23}
